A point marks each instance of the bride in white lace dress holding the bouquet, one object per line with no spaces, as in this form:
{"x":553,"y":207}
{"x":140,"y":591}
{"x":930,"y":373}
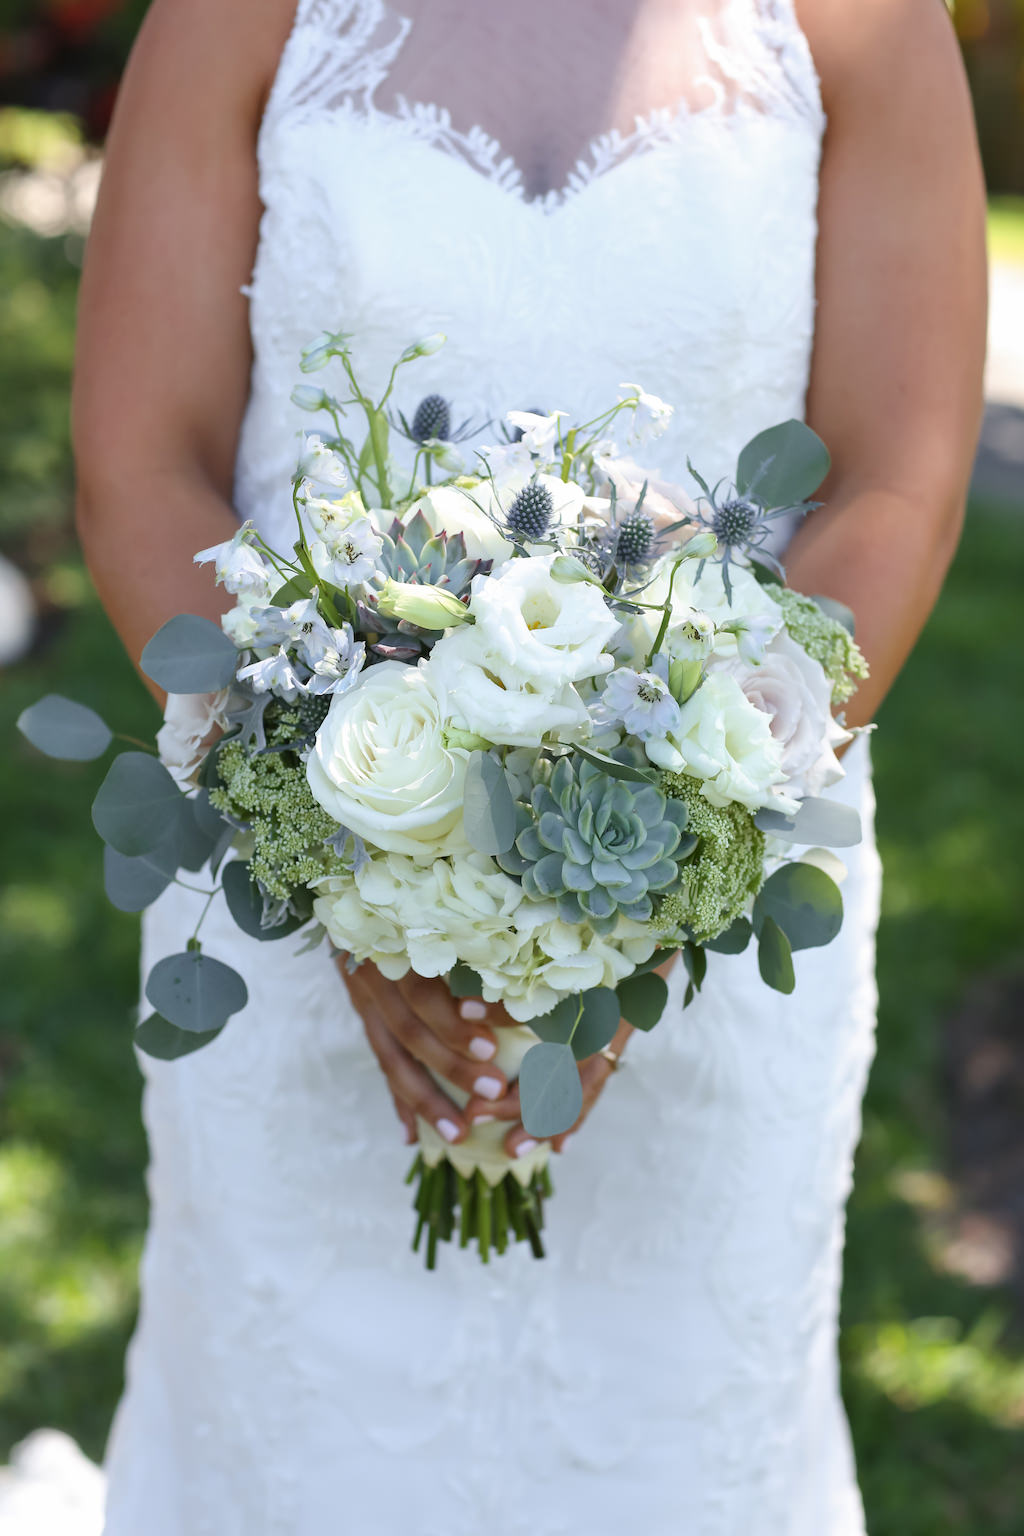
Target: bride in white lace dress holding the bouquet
{"x":759,"y":213}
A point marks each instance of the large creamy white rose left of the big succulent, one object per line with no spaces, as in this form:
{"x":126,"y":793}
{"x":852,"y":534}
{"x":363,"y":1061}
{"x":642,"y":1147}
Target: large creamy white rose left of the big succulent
{"x":382,"y":766}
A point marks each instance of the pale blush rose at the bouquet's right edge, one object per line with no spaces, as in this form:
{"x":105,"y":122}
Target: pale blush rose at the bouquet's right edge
{"x":791,"y":689}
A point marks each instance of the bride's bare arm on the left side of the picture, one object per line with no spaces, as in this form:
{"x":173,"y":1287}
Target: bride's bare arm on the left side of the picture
{"x":164,"y":340}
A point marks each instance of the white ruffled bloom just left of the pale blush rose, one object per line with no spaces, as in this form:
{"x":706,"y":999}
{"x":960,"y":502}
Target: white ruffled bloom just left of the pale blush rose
{"x":728,"y":744}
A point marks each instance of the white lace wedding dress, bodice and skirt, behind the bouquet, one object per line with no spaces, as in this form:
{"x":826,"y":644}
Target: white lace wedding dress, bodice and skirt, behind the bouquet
{"x":672,"y":1368}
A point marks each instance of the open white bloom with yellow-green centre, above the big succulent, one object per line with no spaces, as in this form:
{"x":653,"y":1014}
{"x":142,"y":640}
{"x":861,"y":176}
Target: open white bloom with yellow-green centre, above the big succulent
{"x":540,"y":629}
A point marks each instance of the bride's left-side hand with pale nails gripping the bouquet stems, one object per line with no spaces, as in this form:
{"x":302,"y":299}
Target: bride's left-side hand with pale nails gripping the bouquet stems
{"x":415,"y":1025}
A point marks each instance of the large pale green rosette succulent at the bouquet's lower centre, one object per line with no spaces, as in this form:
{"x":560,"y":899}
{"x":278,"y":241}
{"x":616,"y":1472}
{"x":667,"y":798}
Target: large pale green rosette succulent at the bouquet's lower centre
{"x":600,"y":846}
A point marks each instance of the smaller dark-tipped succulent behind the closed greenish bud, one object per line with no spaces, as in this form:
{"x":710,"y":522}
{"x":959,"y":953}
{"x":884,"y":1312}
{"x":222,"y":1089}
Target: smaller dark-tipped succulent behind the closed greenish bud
{"x":414,"y":552}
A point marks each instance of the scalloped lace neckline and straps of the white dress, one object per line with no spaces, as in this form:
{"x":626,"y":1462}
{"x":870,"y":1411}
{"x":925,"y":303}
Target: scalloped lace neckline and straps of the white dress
{"x":342,"y":51}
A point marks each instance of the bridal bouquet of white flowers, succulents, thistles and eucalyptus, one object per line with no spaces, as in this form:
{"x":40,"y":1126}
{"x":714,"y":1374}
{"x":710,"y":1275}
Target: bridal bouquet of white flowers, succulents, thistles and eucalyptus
{"x":533,"y":726}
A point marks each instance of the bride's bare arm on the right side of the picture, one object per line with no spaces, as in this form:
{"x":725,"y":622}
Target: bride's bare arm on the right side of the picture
{"x":896,"y":386}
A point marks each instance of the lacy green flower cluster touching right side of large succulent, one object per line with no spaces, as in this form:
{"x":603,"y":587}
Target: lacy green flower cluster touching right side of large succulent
{"x":724,"y":873}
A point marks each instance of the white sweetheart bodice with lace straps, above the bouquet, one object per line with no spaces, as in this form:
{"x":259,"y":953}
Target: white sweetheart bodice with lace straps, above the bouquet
{"x":679,"y":254}
